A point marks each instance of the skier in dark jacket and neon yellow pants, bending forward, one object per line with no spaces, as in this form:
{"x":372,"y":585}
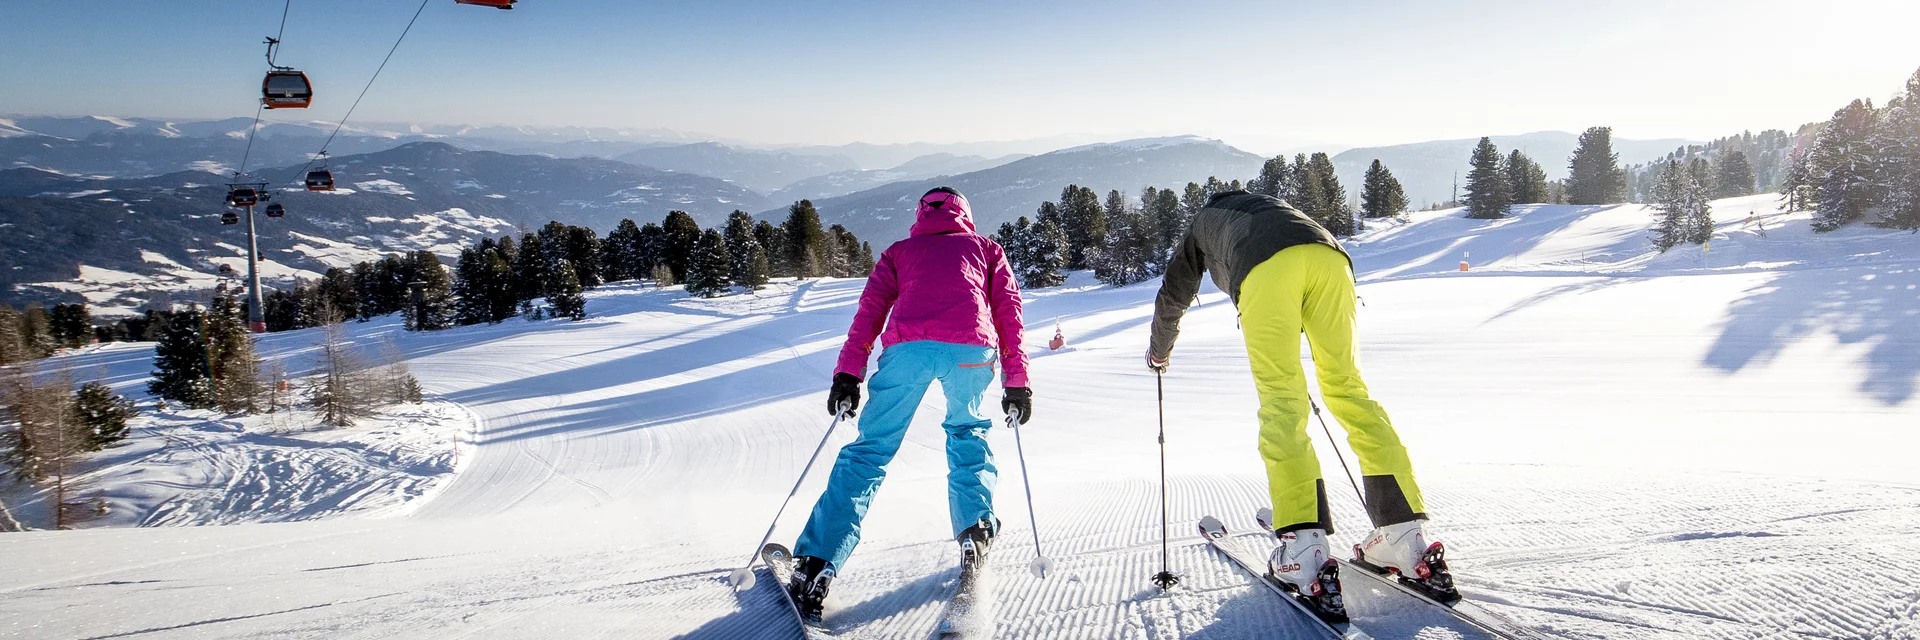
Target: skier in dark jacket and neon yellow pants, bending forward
{"x":1287,"y":276}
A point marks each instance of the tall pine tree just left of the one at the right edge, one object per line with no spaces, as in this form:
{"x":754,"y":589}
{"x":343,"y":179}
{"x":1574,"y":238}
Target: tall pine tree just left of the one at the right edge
{"x":1842,"y":166}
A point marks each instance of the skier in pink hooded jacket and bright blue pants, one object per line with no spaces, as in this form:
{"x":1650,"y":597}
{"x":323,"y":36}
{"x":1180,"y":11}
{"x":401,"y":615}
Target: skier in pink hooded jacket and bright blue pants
{"x":951,"y":310}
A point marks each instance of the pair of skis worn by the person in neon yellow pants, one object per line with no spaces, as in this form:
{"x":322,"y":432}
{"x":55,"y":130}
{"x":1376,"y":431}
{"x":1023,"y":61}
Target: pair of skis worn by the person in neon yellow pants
{"x":1466,"y":612}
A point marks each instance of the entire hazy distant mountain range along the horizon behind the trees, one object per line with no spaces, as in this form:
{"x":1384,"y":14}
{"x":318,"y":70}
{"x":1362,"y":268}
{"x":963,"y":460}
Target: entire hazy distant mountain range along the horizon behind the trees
{"x":105,"y":209}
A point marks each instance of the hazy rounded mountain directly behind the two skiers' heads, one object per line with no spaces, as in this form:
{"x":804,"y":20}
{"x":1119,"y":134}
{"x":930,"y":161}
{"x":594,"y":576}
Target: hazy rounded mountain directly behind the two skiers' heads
{"x":1017,"y":189}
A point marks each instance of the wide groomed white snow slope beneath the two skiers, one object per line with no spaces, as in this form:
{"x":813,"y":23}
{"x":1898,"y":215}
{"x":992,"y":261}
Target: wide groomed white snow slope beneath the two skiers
{"x":1616,"y":445}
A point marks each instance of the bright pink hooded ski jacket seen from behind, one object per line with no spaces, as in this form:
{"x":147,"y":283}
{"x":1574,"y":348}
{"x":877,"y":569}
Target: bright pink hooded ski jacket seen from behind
{"x":944,"y":283}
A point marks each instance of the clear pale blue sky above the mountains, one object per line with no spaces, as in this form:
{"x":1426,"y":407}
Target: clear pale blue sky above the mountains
{"x":1259,"y":74}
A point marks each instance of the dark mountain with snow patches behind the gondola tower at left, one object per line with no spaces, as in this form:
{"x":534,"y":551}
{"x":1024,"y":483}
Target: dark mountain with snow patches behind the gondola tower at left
{"x":116,"y":241}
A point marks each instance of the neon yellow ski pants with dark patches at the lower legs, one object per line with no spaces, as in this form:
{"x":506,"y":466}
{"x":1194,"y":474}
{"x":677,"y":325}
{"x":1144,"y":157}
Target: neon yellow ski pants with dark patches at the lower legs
{"x":1310,"y":289}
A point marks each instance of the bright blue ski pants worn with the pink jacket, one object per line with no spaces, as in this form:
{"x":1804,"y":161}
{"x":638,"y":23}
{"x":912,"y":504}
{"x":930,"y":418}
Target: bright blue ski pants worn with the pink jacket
{"x":896,"y":389}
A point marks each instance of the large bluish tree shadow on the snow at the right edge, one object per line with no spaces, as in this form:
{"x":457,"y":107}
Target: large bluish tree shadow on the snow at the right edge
{"x":1875,"y":307}
